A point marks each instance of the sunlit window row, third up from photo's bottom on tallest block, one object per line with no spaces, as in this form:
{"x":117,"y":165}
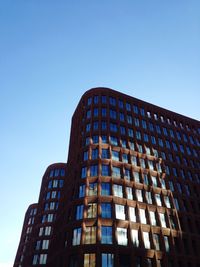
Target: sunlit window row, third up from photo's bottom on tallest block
{"x":123,"y":212}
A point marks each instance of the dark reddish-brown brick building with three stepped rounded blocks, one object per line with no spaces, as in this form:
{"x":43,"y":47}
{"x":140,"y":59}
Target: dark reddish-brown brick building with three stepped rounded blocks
{"x":129,"y":194}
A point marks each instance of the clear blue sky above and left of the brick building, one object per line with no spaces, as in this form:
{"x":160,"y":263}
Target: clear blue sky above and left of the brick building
{"x":52,"y":51}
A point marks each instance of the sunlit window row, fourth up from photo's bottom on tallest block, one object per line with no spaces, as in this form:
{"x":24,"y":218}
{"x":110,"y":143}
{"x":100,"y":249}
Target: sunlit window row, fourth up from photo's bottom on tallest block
{"x":125,"y":192}
